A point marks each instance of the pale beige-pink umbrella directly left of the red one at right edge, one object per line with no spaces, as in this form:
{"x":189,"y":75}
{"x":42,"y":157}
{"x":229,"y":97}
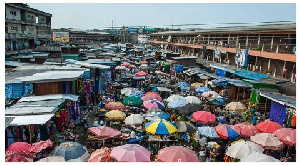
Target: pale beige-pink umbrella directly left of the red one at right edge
{"x":267,"y":141}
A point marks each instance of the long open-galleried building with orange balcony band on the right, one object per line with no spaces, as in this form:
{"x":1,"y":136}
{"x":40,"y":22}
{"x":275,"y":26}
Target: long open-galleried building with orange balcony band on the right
{"x":271,"y":48}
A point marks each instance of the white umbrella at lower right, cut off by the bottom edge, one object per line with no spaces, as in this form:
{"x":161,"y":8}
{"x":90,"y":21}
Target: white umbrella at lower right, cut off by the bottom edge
{"x":258,"y":157}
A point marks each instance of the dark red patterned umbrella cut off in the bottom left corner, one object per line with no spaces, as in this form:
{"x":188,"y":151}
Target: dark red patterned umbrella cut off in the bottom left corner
{"x":11,"y":156}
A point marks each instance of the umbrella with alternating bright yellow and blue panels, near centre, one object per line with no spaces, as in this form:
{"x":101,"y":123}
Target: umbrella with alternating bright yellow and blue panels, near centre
{"x":160,"y":127}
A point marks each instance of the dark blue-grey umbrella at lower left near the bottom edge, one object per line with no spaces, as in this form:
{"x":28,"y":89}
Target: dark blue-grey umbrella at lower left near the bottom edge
{"x":71,"y":151}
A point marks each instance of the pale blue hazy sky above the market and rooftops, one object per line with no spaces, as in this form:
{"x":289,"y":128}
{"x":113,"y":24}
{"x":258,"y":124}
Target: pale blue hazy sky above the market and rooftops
{"x":90,"y":16}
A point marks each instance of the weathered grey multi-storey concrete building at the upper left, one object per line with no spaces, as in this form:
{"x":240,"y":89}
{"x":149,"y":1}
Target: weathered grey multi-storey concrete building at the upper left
{"x":26,"y":27}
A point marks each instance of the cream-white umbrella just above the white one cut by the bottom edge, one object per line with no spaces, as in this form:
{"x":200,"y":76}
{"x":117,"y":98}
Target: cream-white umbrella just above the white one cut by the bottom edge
{"x":242,"y":148}
